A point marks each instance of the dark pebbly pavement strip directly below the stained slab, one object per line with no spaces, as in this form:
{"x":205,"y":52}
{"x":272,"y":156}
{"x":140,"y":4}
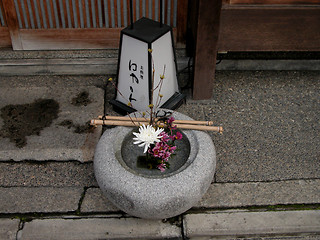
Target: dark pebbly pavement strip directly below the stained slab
{"x":46,"y":174}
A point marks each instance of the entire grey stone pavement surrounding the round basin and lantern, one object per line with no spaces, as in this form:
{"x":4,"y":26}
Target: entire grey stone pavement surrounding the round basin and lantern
{"x":267,"y":181}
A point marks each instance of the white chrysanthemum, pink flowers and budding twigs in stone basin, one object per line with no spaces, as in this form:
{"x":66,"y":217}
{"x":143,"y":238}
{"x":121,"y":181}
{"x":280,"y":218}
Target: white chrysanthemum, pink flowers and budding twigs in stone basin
{"x":156,"y":135}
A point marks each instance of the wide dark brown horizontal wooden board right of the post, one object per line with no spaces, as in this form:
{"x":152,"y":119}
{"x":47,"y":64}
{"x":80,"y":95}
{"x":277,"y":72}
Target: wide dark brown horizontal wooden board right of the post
{"x":272,"y":28}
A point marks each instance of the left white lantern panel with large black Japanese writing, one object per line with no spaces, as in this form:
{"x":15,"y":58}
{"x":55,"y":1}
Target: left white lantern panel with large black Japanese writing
{"x":133,"y":73}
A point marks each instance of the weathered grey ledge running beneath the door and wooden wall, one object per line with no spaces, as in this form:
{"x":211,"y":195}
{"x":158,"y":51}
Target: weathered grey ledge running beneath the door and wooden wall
{"x":86,"y":62}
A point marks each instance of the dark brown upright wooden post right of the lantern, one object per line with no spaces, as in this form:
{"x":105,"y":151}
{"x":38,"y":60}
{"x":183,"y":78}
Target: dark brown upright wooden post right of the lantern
{"x":206,"y":42}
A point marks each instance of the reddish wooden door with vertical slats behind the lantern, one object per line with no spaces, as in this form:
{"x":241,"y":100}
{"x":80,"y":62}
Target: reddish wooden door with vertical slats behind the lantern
{"x":83,"y":24}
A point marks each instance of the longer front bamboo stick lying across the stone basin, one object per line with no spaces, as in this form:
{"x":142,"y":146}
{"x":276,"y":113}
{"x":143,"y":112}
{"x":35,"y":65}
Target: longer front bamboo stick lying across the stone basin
{"x":130,"y":123}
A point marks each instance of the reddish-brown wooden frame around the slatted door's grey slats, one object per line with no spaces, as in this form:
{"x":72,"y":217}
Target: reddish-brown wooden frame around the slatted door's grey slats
{"x":76,"y":38}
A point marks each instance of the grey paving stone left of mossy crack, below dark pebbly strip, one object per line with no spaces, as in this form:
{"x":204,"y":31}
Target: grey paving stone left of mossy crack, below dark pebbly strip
{"x":41,"y":199}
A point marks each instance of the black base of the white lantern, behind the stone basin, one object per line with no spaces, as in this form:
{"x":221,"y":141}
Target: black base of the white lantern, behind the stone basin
{"x":175,"y":101}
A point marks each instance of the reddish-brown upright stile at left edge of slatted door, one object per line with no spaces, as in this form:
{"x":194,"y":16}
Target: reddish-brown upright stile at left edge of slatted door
{"x":12,"y":23}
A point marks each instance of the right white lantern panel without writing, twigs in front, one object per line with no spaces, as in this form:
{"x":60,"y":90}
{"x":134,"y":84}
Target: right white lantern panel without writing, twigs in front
{"x":163,"y":57}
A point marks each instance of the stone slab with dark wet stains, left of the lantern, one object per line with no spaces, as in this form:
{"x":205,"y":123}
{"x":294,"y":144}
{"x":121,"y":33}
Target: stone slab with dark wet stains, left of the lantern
{"x":66,"y":137}
